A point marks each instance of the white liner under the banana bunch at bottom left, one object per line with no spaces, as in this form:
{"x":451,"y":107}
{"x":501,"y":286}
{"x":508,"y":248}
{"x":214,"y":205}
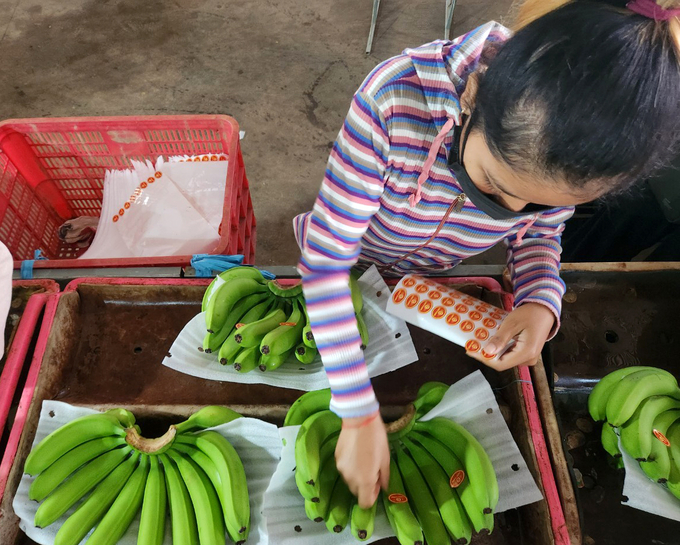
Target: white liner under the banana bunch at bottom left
{"x":257,"y":443}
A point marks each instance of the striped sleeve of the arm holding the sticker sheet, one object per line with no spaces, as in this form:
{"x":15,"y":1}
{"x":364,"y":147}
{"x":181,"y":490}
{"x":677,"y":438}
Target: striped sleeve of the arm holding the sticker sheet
{"x":534,"y":262}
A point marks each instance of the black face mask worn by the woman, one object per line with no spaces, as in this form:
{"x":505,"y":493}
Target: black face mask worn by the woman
{"x":480,"y":199}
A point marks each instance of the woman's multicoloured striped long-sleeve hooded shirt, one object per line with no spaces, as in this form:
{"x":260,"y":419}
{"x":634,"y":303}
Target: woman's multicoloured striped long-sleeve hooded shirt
{"x":363,"y":211}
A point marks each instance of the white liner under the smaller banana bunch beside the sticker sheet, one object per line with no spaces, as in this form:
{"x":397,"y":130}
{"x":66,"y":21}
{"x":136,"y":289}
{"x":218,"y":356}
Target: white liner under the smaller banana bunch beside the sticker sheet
{"x":390,"y":347}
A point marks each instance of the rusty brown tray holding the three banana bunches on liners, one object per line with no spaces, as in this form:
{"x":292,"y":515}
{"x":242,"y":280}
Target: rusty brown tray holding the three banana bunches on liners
{"x":109,"y":336}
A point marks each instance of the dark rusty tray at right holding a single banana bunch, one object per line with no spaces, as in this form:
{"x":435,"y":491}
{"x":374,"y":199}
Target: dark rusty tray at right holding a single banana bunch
{"x":614,"y":315}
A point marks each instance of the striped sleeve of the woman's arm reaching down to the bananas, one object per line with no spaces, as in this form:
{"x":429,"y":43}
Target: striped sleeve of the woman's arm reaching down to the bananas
{"x":330,"y":240}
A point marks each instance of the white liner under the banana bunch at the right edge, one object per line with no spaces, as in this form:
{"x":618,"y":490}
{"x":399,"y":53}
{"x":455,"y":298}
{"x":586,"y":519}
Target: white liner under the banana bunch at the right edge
{"x":645,"y":494}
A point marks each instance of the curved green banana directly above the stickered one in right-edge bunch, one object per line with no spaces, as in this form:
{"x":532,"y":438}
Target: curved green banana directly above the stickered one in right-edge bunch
{"x":636,"y":434}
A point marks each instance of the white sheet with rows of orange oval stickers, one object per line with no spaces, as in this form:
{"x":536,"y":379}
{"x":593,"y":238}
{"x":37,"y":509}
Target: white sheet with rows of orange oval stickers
{"x":449,"y":313}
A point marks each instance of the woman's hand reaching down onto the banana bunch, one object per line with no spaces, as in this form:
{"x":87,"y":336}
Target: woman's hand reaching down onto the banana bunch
{"x":363,"y":457}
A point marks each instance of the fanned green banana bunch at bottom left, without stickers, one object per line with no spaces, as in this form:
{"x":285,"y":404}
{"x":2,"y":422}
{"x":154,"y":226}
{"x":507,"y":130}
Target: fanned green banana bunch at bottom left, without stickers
{"x":197,"y":473}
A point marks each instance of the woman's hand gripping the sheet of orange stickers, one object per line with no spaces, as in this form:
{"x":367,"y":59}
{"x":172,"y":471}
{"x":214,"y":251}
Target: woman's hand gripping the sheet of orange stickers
{"x":530,"y":325}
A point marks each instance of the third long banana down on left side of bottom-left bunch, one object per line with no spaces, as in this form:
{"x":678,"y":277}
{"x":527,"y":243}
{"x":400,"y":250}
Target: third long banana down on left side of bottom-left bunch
{"x":84,"y":480}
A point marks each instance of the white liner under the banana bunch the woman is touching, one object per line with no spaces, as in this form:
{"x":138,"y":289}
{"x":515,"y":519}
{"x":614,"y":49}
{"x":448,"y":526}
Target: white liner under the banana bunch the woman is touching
{"x":466,"y":402}
